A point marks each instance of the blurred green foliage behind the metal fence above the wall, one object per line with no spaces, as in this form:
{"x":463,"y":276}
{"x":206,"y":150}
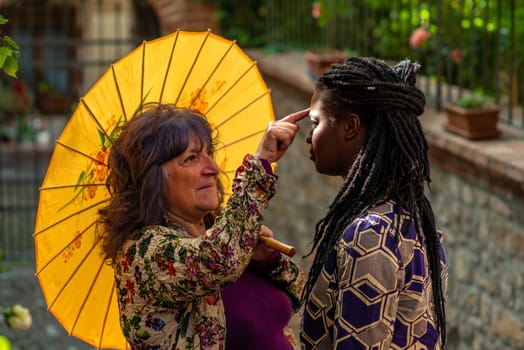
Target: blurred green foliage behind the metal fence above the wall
{"x":481,"y":30}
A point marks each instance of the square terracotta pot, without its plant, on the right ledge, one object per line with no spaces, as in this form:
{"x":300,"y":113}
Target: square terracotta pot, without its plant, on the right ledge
{"x":473,"y":124}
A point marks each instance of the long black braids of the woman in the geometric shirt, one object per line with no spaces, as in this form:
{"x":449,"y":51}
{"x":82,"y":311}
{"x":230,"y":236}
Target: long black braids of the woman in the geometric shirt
{"x":392,"y":162}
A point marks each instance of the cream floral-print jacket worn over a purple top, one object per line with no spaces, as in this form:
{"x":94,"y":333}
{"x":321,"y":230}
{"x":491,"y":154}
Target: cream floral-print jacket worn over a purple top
{"x":169,"y":283}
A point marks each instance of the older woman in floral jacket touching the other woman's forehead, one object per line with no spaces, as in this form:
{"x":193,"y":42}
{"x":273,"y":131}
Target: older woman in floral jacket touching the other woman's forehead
{"x":171,"y":257}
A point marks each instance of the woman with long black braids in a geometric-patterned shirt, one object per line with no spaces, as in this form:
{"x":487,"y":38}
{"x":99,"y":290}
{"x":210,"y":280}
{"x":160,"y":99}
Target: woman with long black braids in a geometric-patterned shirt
{"x":379,"y":276}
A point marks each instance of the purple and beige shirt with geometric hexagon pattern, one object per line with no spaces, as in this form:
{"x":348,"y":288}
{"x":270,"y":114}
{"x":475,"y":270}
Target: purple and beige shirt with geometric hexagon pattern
{"x":374,"y":291}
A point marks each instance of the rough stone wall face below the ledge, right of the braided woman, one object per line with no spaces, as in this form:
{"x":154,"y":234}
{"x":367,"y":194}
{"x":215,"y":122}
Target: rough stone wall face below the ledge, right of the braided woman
{"x":484,"y":243}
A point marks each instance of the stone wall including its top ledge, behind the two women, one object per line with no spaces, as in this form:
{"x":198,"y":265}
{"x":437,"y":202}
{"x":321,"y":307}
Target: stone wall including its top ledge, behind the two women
{"x":477,"y":199}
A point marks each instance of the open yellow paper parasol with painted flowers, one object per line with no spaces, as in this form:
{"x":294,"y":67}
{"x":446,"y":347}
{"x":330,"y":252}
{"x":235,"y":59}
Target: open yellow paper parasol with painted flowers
{"x":199,"y":70}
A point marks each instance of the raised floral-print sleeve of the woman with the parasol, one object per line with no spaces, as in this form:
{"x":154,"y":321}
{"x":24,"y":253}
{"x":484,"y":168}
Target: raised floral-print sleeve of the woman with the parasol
{"x":180,"y":265}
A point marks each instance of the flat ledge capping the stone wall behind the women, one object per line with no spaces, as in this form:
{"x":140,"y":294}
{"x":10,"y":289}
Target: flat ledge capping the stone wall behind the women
{"x":497,"y":164}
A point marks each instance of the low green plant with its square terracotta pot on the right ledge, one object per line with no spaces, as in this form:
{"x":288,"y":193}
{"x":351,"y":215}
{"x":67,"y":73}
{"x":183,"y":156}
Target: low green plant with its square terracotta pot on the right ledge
{"x":473,"y":116}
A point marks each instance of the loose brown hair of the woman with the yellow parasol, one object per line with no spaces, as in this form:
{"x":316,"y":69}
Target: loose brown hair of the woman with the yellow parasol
{"x":136,"y":179}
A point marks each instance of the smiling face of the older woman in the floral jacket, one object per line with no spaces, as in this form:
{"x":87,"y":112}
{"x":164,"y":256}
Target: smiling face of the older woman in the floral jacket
{"x":192,"y":182}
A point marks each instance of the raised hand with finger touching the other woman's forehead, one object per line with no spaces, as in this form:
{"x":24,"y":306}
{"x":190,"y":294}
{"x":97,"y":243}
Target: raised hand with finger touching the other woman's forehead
{"x":279,"y":135}
